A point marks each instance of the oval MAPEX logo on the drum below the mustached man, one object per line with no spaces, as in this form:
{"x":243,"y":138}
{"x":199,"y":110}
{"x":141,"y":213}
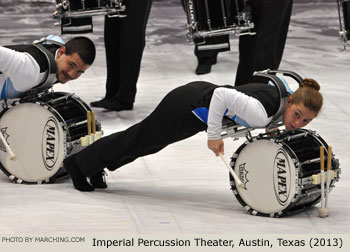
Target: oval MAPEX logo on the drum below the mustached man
{"x":50,"y":143}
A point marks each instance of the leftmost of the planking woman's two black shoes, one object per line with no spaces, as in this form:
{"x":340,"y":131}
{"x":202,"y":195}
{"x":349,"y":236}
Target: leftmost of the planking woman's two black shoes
{"x":78,"y":179}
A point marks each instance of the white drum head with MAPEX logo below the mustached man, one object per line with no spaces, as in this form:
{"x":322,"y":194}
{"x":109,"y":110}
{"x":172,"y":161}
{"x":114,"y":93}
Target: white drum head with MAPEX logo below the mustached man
{"x":37,"y":138}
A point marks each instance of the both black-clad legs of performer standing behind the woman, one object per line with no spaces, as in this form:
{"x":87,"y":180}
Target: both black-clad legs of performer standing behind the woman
{"x":257,"y":52}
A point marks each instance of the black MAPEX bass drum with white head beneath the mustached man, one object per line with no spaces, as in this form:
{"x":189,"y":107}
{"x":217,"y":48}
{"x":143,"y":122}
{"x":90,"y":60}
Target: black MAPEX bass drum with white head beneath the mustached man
{"x":42,"y":131}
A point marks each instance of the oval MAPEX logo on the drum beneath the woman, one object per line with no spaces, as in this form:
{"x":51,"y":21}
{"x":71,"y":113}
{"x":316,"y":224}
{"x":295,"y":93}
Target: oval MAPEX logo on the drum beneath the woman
{"x":282,"y":180}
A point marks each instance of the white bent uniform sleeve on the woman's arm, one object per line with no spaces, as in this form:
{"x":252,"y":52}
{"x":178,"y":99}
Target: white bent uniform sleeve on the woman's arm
{"x":237,"y":103}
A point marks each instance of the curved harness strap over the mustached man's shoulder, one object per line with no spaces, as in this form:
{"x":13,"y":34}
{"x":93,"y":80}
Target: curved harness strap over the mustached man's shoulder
{"x":52,"y":68}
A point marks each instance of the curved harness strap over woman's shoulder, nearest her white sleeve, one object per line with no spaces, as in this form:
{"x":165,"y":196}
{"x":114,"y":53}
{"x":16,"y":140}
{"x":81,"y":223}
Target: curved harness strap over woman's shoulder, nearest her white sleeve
{"x":283,"y":93}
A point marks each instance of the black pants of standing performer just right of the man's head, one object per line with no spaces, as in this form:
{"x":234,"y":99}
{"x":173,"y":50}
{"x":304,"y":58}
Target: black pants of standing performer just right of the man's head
{"x":125,"y":42}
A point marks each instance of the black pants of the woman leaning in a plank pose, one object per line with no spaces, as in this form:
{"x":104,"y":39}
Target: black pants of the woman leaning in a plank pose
{"x":171,"y":121}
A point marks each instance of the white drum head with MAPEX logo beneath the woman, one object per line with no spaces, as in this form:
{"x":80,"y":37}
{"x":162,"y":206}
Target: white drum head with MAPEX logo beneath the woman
{"x":268,"y":174}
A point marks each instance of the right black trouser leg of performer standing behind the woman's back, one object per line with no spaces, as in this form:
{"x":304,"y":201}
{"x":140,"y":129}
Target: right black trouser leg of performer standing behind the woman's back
{"x":265,"y":49}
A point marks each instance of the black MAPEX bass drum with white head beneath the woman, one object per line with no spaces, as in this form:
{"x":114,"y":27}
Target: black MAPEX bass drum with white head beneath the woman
{"x":277,"y":172}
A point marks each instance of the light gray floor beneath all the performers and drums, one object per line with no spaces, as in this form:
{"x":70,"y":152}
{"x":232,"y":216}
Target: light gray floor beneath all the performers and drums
{"x":184,"y":188}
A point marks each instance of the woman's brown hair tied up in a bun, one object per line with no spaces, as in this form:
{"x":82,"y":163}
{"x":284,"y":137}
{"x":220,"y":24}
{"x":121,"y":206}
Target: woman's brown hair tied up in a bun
{"x":308,"y":94}
